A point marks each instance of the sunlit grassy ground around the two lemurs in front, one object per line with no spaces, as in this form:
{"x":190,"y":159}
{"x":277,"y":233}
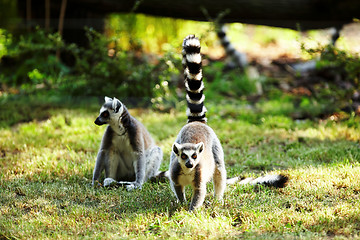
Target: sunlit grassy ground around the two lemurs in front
{"x":46,"y":169}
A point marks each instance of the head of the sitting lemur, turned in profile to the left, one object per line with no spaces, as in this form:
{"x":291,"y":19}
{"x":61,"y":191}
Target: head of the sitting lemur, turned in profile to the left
{"x":110,"y":111}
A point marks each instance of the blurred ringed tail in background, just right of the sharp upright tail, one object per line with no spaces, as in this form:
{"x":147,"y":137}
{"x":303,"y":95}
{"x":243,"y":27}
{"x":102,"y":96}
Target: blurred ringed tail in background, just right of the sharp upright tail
{"x":239,"y":59}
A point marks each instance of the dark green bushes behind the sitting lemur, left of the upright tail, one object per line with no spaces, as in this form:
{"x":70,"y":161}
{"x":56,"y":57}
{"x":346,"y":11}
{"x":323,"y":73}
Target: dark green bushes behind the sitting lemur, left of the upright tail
{"x":32,"y":63}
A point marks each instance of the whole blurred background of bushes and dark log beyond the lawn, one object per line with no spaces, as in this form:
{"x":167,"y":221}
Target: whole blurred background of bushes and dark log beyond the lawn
{"x":58,"y":51}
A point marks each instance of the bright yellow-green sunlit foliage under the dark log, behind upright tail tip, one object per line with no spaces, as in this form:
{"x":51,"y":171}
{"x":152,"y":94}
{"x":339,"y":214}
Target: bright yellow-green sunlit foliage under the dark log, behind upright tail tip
{"x":153,"y":34}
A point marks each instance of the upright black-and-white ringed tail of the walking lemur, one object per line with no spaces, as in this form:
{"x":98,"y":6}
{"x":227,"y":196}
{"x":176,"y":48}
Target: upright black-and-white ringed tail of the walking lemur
{"x":193,"y":79}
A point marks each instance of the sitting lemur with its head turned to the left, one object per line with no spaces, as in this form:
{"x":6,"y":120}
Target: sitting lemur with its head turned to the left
{"x":128,"y":153}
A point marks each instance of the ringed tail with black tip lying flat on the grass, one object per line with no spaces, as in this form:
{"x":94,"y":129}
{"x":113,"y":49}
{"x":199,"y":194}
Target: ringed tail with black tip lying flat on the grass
{"x":278,"y":181}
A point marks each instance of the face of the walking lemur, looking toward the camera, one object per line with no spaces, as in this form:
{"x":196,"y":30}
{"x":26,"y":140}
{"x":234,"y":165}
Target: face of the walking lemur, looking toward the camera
{"x":188,"y":154}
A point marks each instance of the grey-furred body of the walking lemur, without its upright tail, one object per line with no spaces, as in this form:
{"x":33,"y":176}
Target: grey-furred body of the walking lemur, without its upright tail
{"x":208,"y":165}
